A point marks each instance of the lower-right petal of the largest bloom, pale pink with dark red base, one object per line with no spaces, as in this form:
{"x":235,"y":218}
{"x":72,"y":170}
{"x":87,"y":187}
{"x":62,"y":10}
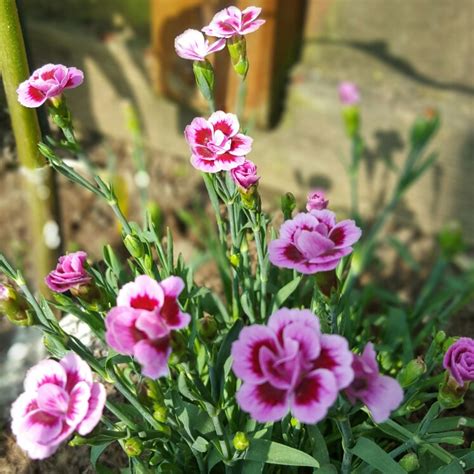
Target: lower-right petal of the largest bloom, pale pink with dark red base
{"x":315,"y":394}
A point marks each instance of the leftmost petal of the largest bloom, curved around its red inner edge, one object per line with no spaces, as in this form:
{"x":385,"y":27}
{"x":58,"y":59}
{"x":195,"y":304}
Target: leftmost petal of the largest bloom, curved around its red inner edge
{"x":246,"y":352}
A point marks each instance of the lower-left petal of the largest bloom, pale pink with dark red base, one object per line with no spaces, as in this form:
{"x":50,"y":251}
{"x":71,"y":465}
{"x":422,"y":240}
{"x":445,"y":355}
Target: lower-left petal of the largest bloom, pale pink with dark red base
{"x":264,"y":402}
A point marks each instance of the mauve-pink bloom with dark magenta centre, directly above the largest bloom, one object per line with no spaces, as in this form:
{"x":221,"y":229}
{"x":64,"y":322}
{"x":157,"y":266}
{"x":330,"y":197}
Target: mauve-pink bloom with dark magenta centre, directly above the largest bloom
{"x":313,"y":242}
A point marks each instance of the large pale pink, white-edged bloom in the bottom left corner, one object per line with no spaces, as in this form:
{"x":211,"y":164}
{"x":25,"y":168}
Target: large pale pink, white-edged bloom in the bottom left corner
{"x":59,"y":398}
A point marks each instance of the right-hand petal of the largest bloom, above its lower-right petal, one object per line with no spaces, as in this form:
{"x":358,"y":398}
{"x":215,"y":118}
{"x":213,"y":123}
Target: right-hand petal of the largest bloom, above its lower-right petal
{"x":336,"y":357}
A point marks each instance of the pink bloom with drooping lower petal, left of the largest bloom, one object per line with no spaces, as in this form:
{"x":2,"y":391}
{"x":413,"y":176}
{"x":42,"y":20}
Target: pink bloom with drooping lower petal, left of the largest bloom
{"x":141,"y":323}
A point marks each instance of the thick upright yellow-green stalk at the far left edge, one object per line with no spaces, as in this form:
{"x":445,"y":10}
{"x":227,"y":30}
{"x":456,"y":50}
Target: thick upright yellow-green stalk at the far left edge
{"x":38,"y":182}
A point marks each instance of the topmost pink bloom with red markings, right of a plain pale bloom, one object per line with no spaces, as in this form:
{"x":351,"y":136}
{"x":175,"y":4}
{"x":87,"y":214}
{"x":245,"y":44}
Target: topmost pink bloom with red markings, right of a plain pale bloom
{"x":231,"y":22}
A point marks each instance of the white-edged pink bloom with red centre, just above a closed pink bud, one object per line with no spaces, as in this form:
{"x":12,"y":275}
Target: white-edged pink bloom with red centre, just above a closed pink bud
{"x":216,"y":144}
